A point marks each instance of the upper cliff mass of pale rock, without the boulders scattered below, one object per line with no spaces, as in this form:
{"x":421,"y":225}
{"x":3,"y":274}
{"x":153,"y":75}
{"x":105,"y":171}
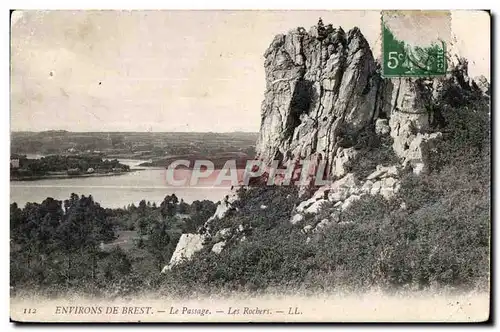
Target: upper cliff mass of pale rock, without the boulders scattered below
{"x":323,"y":87}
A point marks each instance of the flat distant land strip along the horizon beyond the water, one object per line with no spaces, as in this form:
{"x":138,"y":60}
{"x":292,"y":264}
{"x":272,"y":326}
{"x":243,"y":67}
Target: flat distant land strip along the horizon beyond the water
{"x":133,"y":145}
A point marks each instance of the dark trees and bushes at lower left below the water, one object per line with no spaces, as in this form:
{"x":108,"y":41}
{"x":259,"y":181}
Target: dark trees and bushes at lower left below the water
{"x":75,"y":245}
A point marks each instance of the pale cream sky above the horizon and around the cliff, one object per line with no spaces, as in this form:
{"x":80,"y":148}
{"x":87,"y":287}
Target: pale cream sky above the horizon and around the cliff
{"x":169,"y":70}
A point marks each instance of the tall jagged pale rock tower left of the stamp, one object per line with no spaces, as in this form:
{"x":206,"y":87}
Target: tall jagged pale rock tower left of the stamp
{"x":317,"y":88}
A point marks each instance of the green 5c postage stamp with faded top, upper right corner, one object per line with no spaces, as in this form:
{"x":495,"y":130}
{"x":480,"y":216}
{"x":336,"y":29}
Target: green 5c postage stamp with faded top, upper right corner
{"x":414,"y":43}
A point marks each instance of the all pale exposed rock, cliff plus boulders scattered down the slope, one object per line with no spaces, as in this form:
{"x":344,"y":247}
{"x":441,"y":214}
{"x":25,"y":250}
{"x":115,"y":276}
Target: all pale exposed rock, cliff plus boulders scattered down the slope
{"x":323,"y":89}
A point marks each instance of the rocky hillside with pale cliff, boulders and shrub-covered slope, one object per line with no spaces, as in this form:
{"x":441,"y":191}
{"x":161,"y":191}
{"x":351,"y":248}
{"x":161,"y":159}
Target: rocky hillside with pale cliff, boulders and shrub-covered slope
{"x":409,"y":206}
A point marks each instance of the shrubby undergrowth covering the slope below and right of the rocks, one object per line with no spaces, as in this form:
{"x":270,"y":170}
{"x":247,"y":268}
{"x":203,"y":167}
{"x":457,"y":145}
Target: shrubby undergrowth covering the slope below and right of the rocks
{"x":441,"y":239}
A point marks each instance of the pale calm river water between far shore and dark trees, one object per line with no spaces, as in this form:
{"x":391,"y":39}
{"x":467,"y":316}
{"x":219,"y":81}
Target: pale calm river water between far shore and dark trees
{"x":113,"y":191}
